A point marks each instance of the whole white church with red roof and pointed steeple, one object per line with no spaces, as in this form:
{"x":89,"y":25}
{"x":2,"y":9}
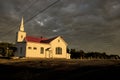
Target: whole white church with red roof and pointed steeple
{"x":34,"y":47}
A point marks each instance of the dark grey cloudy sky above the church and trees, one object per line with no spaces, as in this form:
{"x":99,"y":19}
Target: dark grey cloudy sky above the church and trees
{"x":89,"y":25}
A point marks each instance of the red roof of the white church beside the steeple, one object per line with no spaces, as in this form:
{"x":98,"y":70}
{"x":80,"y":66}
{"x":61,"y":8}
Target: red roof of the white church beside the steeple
{"x":38,"y":40}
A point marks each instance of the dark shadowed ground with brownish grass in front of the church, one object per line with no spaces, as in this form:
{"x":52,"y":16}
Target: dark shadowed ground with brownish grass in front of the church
{"x":59,"y":69}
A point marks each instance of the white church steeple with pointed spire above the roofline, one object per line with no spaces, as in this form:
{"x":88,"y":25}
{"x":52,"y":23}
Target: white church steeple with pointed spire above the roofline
{"x":21,"y":34}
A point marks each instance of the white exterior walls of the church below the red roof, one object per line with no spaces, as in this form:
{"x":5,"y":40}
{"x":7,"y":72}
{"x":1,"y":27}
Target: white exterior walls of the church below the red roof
{"x":33,"y":50}
